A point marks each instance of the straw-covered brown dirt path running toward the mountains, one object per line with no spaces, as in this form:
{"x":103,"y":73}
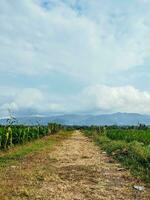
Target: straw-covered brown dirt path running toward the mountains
{"x":75,"y":170}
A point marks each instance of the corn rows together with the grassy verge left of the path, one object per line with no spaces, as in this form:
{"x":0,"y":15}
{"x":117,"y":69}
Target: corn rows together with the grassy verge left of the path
{"x":22,"y":141}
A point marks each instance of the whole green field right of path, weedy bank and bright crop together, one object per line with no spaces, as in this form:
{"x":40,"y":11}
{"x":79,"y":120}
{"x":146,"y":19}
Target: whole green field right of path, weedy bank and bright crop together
{"x":130,"y":146}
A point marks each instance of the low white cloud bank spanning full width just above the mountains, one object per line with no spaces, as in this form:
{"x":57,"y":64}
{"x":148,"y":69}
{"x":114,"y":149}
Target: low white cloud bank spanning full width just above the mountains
{"x":94,"y":99}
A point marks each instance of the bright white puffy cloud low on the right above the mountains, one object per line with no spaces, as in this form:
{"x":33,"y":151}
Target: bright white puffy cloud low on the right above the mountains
{"x":116,"y":99}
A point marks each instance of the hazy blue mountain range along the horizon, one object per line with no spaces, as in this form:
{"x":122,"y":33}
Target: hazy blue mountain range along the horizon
{"x":103,"y":119}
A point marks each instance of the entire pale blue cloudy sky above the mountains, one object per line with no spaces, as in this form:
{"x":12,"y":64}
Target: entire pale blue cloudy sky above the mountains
{"x":74,"y":56}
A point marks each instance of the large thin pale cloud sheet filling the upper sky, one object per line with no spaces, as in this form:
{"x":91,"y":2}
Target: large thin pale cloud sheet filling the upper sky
{"x":35,"y":40}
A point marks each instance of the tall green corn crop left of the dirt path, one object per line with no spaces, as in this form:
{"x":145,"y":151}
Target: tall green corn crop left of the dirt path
{"x":17,"y":134}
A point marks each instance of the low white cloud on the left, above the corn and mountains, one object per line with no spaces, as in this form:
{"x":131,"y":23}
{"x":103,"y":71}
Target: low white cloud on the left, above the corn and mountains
{"x":27,"y":101}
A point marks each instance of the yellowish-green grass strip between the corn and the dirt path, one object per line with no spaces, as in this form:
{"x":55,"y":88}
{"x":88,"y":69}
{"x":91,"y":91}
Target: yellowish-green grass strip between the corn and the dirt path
{"x":19,"y":152}
